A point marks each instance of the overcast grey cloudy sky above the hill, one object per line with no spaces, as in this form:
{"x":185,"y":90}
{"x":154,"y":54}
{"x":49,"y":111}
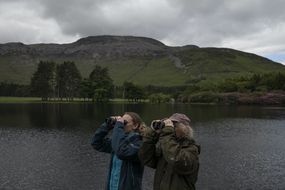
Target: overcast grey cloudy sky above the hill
{"x":256,"y":26}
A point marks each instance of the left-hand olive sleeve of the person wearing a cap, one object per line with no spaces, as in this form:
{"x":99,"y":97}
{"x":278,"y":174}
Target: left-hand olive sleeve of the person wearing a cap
{"x":147,"y":152}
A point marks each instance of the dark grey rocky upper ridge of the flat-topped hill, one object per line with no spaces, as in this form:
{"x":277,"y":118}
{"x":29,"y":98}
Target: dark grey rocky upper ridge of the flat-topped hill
{"x":90,"y":47}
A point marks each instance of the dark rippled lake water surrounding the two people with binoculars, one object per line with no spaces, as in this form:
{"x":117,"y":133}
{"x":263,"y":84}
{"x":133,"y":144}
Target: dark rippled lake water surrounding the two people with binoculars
{"x":47,"y":146}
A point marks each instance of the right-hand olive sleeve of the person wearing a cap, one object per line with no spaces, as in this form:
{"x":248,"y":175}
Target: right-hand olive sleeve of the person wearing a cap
{"x":183,"y":157}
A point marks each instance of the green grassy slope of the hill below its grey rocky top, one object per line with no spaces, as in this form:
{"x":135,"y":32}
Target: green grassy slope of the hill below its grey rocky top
{"x":202,"y":66}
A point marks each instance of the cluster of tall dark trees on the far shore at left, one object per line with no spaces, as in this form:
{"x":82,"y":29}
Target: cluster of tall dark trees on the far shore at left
{"x":53,"y":81}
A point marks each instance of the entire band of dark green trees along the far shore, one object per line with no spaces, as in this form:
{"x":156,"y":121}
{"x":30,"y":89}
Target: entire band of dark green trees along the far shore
{"x":63,"y":81}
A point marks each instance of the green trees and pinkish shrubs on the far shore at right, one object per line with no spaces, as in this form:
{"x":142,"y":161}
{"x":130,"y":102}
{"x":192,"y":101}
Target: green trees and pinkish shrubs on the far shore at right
{"x":243,"y":89}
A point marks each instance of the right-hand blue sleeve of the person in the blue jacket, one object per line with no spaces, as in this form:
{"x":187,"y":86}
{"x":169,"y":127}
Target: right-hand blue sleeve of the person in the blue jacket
{"x":125,"y":146}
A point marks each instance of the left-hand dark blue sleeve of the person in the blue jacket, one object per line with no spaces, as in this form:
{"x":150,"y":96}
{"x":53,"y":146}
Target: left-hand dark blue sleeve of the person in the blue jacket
{"x":100,"y":142}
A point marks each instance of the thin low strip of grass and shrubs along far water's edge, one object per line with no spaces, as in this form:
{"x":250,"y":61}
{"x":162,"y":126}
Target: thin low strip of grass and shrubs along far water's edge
{"x":226,"y":99}
